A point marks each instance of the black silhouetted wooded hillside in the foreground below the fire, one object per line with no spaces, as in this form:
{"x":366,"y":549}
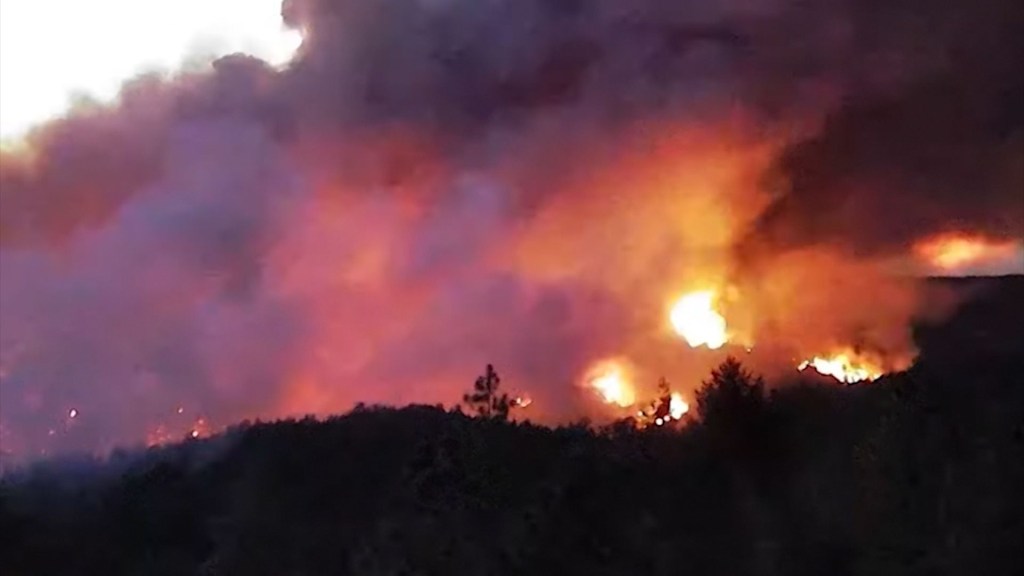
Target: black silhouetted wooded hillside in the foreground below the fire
{"x":920,"y":473}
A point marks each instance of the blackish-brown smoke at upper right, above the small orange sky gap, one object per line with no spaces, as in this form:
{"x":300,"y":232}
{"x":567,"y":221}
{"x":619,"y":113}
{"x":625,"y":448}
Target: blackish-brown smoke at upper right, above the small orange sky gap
{"x":938,"y":147}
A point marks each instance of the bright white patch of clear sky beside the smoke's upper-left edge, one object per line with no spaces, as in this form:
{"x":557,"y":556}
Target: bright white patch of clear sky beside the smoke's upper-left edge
{"x":52,"y":51}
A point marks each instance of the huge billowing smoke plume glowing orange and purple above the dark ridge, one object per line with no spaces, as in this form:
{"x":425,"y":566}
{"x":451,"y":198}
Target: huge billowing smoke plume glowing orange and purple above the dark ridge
{"x":543,"y":185}
